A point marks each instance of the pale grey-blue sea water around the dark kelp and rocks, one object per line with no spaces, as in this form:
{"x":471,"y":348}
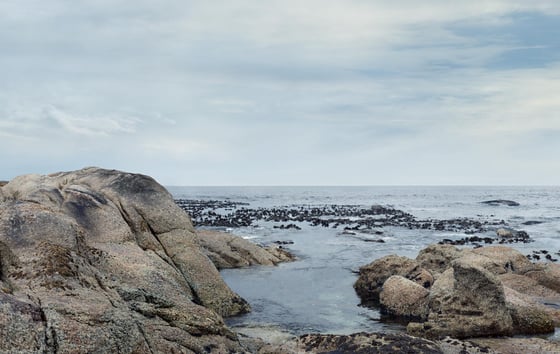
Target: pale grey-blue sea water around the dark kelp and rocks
{"x":315,"y":293}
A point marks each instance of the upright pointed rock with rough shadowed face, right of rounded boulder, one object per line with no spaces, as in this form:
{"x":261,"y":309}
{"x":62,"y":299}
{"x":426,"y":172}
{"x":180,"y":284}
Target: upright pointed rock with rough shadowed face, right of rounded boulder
{"x":466,"y":301}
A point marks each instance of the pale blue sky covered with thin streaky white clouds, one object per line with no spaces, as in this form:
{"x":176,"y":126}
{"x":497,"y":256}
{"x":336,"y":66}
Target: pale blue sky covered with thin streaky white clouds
{"x":290,"y":92}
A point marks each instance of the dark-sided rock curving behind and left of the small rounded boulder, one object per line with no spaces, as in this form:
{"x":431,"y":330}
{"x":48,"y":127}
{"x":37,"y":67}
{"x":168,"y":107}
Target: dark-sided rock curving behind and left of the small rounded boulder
{"x":373,"y":276}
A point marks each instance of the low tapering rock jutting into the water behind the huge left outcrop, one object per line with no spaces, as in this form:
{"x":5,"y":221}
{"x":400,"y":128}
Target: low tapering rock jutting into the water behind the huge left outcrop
{"x":230,"y":251}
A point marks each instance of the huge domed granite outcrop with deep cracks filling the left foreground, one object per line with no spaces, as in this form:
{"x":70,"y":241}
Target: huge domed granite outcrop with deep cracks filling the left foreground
{"x":104,"y":261}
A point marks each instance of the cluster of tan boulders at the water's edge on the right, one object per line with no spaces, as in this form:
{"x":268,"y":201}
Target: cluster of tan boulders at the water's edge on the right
{"x":465,"y":293}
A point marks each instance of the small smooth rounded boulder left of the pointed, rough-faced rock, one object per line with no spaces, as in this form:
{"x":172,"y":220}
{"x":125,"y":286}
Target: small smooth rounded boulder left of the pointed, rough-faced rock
{"x":404,"y":298}
